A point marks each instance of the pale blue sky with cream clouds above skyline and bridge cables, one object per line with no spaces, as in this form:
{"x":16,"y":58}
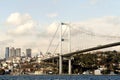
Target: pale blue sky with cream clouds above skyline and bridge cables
{"x":31,"y":23}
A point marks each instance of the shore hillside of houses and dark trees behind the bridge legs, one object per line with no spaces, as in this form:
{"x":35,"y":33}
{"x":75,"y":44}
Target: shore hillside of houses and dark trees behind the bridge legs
{"x":94,"y":63}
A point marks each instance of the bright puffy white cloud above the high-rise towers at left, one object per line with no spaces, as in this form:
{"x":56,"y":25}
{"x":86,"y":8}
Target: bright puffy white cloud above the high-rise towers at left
{"x":23,"y":23}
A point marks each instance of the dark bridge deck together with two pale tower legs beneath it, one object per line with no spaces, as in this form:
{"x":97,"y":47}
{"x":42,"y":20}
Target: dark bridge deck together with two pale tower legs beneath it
{"x":69,"y":55}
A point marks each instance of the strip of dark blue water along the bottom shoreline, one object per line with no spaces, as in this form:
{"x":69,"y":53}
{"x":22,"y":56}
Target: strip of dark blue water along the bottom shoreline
{"x":61,"y":77}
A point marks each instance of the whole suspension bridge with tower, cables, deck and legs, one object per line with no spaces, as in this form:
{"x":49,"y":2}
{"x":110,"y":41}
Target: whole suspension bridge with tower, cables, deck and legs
{"x":75,"y":44}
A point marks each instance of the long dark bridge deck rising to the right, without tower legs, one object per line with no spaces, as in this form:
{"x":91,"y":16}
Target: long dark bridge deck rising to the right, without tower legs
{"x":84,"y":50}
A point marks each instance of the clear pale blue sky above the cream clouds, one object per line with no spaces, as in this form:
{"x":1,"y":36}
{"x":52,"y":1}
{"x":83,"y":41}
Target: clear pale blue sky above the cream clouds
{"x":66,"y":9}
